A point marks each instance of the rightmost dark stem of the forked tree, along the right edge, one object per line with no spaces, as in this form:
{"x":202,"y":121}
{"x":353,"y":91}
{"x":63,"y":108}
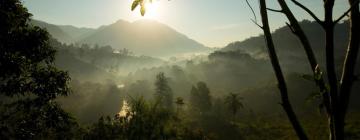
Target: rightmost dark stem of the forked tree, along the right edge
{"x":348,"y":76}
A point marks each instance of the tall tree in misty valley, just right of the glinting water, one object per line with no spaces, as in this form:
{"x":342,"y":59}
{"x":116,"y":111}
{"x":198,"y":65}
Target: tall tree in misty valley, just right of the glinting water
{"x":164,"y":94}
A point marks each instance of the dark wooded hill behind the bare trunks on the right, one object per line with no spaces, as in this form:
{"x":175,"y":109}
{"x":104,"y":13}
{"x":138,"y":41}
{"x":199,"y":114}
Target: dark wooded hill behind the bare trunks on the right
{"x":290,"y":51}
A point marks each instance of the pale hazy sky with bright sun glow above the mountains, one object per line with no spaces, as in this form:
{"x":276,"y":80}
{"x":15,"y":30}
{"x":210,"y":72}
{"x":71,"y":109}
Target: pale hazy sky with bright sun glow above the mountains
{"x":214,"y":23}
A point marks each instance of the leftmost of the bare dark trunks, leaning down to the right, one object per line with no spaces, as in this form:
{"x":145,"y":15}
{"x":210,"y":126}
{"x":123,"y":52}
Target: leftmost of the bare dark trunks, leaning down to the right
{"x":279,"y":75}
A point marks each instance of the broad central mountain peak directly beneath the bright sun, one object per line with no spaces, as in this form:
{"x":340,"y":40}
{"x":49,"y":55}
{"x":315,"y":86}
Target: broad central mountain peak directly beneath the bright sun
{"x":145,"y":37}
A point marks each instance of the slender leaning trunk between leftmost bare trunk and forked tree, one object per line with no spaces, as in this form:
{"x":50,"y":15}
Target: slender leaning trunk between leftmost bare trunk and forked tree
{"x":298,"y":31}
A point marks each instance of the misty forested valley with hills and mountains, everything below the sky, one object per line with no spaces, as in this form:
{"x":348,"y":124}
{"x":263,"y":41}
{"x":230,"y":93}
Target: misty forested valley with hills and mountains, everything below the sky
{"x":144,"y":80}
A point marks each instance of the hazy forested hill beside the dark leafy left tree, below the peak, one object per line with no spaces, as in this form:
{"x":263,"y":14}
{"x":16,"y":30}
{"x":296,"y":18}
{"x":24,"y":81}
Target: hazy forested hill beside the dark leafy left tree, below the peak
{"x":95,"y":60}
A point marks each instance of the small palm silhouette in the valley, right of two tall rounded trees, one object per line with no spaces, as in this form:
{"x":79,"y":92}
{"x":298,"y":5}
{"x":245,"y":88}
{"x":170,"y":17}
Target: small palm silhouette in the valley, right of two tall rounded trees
{"x":233,"y":103}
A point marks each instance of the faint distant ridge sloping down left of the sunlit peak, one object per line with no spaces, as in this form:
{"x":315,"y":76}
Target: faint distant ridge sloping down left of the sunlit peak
{"x":54,"y":30}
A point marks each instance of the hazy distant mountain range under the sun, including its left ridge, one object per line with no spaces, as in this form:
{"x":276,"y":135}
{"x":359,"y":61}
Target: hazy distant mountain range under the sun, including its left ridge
{"x":143,"y":37}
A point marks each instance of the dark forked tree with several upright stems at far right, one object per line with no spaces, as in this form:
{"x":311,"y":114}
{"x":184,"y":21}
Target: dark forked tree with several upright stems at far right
{"x":339,"y":99}
